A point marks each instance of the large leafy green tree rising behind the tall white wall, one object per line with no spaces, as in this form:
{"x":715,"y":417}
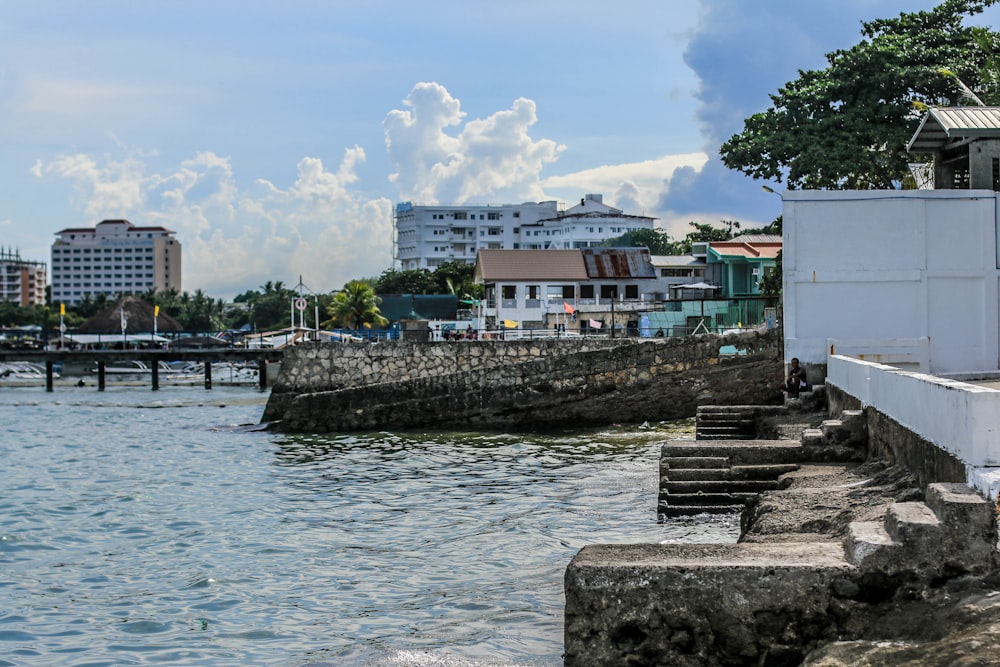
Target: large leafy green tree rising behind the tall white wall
{"x":846,"y":127}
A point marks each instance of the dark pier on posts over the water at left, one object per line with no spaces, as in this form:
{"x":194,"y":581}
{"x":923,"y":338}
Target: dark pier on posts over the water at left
{"x":151,"y":357}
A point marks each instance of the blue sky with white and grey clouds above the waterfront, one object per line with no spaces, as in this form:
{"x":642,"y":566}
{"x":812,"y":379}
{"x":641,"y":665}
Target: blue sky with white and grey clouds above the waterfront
{"x":275,"y":138}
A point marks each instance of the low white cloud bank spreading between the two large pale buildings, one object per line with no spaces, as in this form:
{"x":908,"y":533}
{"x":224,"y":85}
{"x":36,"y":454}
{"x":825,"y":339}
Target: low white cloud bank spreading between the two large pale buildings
{"x":237,"y":238}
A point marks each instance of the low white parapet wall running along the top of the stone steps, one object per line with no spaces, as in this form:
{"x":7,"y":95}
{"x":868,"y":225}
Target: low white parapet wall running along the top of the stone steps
{"x":960,"y":418}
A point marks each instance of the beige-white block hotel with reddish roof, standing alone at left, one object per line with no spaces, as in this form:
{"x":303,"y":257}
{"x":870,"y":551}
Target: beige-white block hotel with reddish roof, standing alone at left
{"x":114,"y":258}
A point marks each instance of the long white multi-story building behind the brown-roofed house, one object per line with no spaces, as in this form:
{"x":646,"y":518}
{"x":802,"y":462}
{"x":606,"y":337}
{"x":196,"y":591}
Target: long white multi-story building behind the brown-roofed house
{"x":427,"y":236}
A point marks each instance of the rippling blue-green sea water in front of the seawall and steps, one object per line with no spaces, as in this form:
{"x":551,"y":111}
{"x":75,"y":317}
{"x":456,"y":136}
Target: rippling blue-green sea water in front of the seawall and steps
{"x":160,"y":528}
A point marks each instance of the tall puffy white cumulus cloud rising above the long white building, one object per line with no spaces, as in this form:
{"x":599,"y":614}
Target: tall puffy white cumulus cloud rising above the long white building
{"x":487,"y":159}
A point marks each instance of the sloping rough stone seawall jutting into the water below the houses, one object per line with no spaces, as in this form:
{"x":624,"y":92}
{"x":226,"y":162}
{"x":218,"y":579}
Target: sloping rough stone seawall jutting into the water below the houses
{"x":518,"y":385}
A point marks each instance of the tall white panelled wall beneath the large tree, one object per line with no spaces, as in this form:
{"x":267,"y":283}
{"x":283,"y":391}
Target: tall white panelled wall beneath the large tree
{"x":889,"y":267}
